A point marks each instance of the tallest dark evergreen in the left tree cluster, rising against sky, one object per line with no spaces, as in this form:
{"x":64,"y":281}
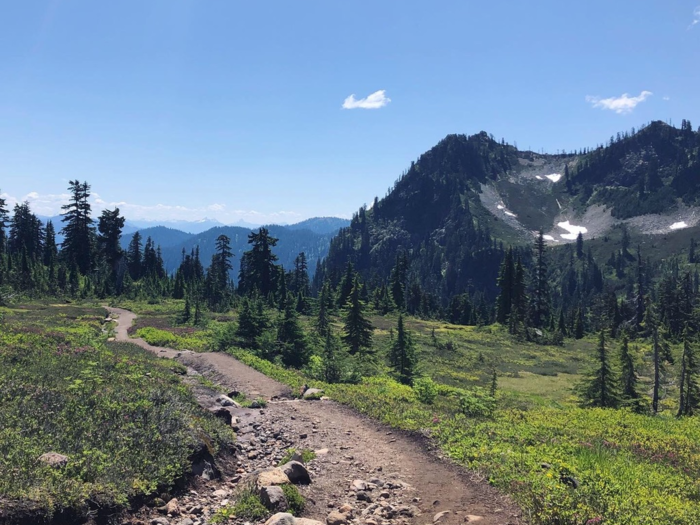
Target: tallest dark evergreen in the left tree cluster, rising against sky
{"x":78,"y":229}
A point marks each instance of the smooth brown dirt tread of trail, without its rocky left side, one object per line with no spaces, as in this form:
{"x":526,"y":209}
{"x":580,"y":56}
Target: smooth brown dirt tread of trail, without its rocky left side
{"x":357,"y":447}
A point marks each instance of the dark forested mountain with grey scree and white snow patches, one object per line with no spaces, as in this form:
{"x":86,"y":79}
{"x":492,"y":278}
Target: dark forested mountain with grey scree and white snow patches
{"x":461,"y":201}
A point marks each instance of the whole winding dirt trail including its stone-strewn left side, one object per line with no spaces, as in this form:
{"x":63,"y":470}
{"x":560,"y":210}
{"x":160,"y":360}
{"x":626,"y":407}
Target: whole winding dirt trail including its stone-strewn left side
{"x":364,"y":473}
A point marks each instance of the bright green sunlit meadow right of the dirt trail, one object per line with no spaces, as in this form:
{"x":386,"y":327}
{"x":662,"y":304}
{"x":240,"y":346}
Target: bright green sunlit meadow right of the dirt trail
{"x":631,"y":469}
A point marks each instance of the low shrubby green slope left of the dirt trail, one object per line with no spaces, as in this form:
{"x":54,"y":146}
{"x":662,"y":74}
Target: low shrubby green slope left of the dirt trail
{"x":122,"y":416}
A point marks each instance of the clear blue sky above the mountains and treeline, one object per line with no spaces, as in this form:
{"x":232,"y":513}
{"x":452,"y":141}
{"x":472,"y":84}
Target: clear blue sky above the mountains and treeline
{"x":234,"y":110}
